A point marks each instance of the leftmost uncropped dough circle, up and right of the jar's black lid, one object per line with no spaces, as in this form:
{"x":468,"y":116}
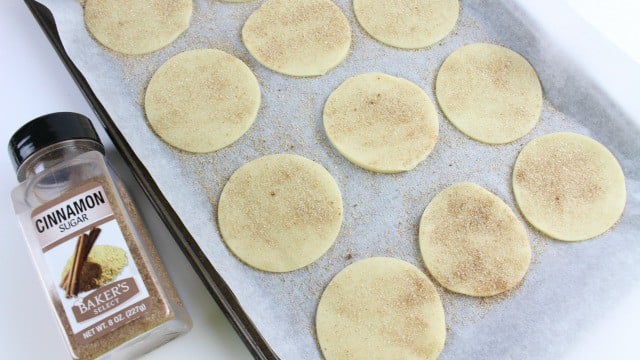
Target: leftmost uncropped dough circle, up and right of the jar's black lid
{"x":202,"y":100}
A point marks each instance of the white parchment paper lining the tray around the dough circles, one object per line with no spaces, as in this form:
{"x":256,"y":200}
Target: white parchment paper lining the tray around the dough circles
{"x":568,"y":286}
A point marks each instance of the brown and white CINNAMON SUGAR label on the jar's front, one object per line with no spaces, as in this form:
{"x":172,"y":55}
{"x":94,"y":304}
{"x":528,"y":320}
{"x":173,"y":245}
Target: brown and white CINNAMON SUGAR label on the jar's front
{"x":98,"y":283}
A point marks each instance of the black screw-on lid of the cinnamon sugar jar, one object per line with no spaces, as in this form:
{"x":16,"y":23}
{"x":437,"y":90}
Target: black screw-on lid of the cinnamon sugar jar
{"x":48,"y":130}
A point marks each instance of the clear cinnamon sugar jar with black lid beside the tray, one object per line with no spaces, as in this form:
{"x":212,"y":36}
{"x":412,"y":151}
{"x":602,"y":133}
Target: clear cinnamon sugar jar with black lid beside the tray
{"x":110,"y":293}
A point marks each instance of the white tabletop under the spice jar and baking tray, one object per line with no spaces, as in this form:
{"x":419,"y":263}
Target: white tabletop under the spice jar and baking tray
{"x":33,"y":82}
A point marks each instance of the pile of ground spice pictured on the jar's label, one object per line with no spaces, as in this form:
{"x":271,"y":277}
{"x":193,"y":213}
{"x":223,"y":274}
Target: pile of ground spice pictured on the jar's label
{"x":104,"y":263}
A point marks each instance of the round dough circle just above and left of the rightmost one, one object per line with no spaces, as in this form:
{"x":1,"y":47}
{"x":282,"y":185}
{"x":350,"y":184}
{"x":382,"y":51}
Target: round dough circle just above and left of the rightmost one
{"x":490,"y":93}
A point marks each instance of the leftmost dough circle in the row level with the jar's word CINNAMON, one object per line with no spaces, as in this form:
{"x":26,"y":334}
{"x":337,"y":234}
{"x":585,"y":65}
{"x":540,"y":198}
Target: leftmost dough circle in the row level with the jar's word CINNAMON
{"x":280,"y":212}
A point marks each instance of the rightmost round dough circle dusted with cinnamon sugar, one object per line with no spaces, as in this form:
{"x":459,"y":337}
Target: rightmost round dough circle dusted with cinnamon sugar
{"x":569,"y":186}
